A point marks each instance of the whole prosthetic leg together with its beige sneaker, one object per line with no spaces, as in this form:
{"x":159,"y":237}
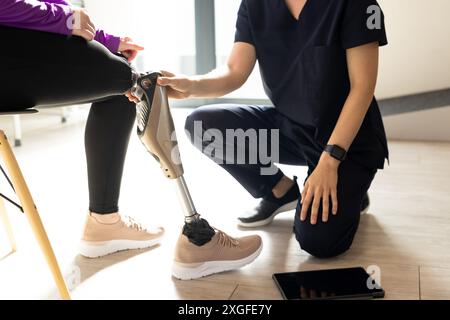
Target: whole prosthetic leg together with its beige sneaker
{"x":201,"y":249}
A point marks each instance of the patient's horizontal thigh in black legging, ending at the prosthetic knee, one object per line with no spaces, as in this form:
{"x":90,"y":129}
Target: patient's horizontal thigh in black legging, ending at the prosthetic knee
{"x":54,"y":70}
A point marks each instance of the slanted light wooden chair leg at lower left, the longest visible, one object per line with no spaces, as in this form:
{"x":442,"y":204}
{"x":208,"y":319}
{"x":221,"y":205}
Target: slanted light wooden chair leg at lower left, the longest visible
{"x":32,"y":214}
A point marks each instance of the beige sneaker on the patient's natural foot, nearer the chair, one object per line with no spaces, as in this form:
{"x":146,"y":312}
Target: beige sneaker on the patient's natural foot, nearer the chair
{"x":106,"y":234}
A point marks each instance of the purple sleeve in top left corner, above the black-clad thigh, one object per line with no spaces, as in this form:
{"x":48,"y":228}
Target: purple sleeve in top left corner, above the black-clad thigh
{"x":51,"y":16}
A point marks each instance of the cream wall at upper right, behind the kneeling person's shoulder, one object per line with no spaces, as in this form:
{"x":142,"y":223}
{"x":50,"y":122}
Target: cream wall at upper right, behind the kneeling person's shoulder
{"x":418,"y":56}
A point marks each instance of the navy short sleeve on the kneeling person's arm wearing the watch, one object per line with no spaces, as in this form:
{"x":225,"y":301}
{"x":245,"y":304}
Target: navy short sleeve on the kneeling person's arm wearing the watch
{"x":363,"y":23}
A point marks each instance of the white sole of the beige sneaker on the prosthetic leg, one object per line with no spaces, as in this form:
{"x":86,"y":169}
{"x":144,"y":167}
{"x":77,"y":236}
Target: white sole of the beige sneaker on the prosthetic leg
{"x":183,"y":271}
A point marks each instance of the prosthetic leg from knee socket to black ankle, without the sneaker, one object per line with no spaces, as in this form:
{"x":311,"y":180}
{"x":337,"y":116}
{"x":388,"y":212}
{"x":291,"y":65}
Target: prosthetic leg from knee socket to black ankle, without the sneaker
{"x":156,"y":130}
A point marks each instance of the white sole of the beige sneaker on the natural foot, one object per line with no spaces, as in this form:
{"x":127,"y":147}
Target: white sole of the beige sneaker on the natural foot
{"x":93,"y":249}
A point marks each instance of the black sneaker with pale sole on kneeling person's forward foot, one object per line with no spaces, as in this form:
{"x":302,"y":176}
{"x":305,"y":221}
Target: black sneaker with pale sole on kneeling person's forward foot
{"x":264,"y":213}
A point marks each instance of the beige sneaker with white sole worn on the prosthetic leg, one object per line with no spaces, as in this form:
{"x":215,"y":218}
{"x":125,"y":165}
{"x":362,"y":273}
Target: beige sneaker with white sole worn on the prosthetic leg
{"x":222,"y":253}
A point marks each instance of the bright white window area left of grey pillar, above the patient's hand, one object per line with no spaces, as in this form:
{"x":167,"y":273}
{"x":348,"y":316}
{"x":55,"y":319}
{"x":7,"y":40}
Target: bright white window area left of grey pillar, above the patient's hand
{"x":164,"y":27}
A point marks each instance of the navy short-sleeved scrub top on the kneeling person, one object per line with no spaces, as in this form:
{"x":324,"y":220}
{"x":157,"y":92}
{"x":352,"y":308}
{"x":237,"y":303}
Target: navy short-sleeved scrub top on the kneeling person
{"x":304,"y":68}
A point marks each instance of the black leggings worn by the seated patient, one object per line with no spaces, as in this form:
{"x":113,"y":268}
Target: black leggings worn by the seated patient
{"x":45,"y":69}
